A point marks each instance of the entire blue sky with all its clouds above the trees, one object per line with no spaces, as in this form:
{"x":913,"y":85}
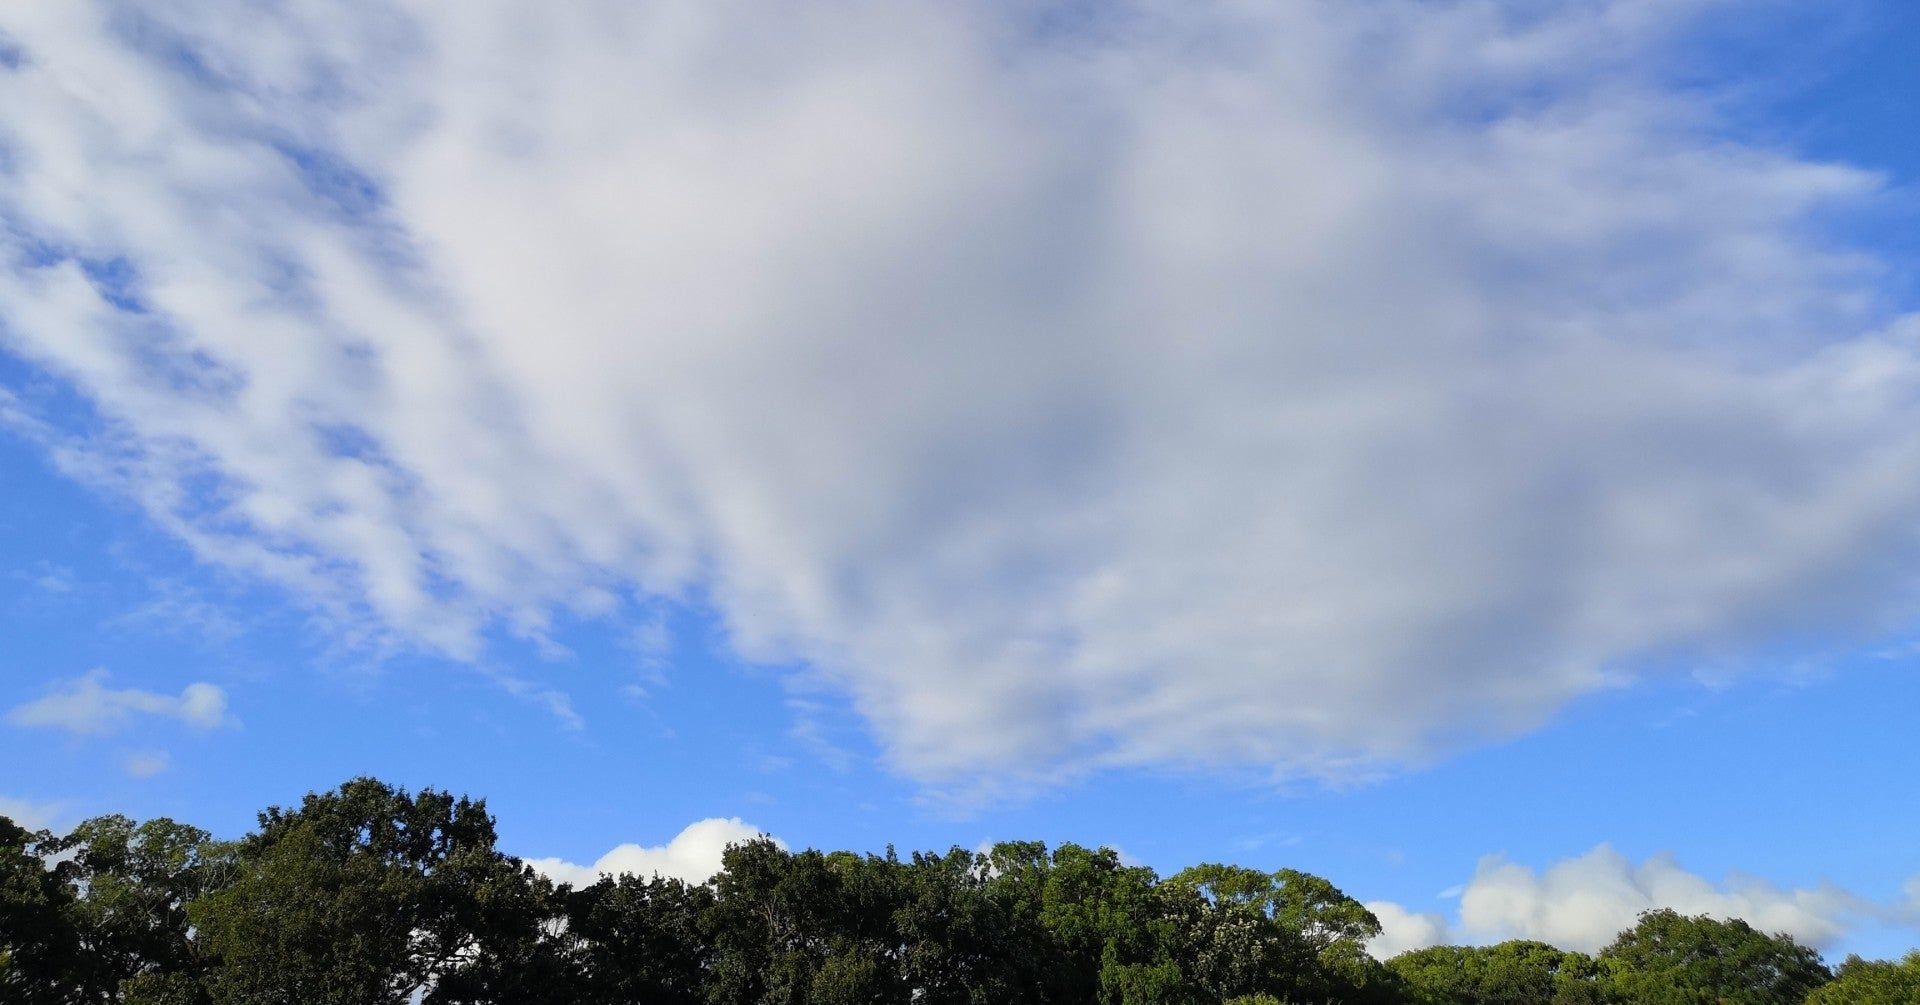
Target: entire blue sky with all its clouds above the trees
{"x":1464,"y":449}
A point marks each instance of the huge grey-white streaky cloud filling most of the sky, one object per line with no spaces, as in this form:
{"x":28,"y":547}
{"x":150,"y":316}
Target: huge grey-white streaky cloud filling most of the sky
{"x":1310,"y":385}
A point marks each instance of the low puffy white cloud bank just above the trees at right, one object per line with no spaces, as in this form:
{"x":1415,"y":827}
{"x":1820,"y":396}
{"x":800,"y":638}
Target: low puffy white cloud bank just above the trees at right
{"x":1587,"y":900}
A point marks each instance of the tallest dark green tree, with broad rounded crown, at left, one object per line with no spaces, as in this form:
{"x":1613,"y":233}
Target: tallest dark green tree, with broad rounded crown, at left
{"x":366,"y":896}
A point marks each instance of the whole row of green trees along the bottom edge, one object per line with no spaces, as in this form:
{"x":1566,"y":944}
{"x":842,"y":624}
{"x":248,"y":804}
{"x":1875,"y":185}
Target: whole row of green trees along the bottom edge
{"x":375,"y":896}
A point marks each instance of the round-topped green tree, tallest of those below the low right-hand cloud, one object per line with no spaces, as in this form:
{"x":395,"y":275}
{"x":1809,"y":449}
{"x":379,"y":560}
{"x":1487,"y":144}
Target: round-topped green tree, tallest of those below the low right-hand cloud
{"x":1677,"y":960}
